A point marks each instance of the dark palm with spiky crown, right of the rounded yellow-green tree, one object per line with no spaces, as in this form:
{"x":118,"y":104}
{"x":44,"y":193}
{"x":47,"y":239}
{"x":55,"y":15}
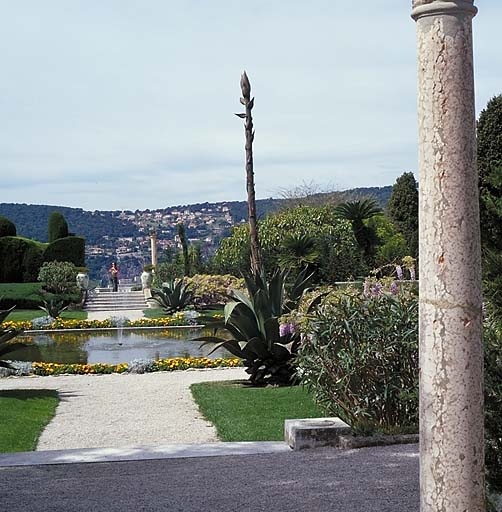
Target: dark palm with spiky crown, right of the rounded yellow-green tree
{"x":358,"y":213}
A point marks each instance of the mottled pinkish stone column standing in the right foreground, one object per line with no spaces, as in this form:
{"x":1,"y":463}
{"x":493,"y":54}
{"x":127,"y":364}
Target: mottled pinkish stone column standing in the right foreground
{"x":451,"y":351}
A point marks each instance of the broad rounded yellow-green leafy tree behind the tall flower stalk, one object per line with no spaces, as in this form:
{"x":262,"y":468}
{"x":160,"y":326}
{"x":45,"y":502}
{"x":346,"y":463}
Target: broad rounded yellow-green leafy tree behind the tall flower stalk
{"x":333,"y":238}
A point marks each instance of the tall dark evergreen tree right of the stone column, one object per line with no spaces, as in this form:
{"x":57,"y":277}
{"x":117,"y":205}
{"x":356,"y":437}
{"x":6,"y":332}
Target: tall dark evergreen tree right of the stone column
{"x":489,"y":139}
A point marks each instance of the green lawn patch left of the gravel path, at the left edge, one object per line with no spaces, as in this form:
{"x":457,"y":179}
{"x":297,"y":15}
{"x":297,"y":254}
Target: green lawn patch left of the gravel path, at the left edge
{"x":23,"y":416}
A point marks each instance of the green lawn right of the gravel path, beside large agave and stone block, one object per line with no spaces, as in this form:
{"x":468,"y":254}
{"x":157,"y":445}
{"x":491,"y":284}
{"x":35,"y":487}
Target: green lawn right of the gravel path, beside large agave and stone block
{"x":242,"y":413}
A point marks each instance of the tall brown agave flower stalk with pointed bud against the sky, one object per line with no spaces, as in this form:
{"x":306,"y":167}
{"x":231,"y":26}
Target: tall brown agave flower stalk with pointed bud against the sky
{"x":248,"y":102}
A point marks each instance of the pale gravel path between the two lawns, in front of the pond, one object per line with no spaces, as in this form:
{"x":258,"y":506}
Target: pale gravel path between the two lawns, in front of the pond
{"x":125,"y":409}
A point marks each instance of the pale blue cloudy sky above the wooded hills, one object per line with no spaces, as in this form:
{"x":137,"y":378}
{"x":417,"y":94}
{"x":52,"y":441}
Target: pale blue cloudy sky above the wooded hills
{"x":125,"y":105}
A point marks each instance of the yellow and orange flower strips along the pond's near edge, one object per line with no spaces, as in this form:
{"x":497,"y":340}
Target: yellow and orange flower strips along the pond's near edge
{"x":171,"y":364}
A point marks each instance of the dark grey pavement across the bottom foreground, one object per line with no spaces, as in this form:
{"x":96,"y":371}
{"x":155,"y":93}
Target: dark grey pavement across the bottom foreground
{"x":378,"y":479}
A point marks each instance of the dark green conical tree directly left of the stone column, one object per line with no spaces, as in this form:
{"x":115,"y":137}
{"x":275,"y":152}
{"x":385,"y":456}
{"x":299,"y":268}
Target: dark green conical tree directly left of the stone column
{"x":403,"y":209}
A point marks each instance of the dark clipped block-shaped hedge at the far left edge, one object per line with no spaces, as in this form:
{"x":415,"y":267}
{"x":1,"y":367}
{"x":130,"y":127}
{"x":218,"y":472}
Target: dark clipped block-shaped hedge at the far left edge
{"x":19,"y":259}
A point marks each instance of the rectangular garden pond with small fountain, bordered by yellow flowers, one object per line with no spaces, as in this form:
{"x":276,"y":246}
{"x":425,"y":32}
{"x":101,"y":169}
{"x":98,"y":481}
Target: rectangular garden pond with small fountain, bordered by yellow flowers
{"x":114,"y":346}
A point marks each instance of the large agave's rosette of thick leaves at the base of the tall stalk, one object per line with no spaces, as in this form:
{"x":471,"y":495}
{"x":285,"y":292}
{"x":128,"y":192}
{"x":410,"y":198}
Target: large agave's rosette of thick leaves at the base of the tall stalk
{"x":254,"y":334}
